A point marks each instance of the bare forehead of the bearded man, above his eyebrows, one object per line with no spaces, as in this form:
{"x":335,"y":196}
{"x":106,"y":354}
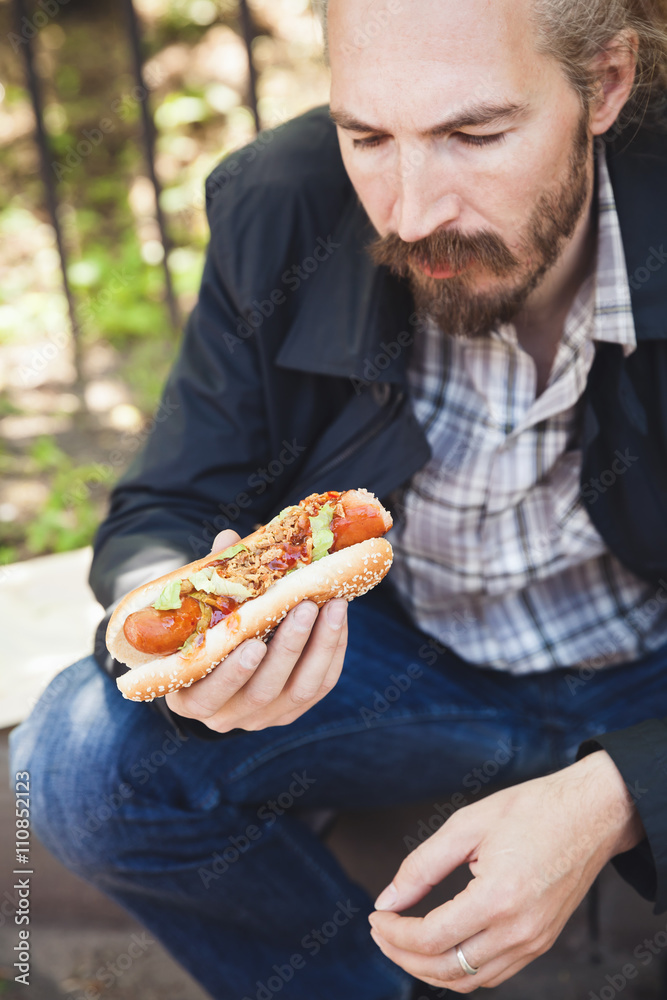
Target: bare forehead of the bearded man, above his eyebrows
{"x":449,"y":53}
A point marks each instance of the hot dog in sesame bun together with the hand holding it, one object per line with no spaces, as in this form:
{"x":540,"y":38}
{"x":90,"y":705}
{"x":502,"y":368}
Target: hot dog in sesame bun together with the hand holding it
{"x":175,"y":631}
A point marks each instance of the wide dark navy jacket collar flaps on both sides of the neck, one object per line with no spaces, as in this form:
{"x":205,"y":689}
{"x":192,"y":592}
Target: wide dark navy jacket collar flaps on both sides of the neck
{"x":352,"y":311}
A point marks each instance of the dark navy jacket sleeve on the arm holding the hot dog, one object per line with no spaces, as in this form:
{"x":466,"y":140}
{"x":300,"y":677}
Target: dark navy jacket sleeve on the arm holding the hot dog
{"x":190,"y":479}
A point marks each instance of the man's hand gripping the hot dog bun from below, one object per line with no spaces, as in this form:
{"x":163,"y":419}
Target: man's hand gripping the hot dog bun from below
{"x":271,"y":686}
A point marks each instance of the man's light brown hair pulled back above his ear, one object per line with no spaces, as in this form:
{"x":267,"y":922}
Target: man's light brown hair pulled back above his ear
{"x":576,"y":31}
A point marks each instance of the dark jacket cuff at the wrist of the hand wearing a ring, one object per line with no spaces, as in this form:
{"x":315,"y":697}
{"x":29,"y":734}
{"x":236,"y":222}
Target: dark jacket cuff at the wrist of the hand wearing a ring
{"x":640,"y":754}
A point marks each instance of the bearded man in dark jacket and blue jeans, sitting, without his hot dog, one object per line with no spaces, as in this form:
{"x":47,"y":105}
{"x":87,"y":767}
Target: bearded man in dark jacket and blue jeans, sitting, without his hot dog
{"x":448,"y":288}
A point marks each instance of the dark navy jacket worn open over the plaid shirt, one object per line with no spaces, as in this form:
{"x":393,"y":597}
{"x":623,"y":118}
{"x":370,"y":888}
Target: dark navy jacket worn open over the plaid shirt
{"x":291,"y":377}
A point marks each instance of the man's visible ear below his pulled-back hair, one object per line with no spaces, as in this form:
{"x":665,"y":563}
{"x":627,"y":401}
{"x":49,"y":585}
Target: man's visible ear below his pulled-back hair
{"x":615,"y":69}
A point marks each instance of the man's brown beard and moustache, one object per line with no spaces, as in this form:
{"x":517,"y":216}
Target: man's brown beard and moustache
{"x":453,"y":303}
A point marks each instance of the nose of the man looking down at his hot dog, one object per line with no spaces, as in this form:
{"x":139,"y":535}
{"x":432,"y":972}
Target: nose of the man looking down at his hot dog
{"x":423,"y":204}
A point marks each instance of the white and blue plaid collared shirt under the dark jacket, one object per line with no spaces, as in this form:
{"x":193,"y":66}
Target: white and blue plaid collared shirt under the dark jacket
{"x":496,"y":556}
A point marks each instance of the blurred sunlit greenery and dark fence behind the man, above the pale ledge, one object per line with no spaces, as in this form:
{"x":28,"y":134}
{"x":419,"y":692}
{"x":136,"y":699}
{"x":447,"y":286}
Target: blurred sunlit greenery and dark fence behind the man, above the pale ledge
{"x":73,"y":396}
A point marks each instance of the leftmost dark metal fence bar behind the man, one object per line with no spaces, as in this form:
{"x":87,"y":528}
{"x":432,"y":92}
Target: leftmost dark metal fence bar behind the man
{"x":50,"y":190}
